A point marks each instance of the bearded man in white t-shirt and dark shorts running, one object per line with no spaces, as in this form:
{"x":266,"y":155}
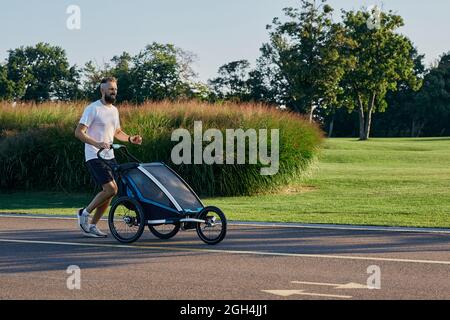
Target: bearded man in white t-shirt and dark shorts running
{"x":97,"y":128}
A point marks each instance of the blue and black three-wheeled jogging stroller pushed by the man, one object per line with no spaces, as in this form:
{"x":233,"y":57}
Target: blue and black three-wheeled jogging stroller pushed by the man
{"x":154,"y":195}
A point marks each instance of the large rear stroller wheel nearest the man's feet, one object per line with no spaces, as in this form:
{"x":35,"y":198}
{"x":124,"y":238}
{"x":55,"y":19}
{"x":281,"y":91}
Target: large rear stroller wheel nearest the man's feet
{"x":126,"y":220}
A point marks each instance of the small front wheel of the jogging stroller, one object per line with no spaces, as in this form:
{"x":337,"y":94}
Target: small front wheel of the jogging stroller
{"x":214,"y":229}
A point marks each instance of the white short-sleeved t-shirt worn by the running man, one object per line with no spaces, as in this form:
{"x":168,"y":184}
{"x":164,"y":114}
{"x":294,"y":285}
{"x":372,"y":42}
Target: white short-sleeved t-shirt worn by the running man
{"x":102,"y":123}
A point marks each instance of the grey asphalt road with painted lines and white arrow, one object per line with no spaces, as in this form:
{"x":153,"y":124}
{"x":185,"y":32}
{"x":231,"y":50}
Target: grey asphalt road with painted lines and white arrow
{"x":255,"y":263}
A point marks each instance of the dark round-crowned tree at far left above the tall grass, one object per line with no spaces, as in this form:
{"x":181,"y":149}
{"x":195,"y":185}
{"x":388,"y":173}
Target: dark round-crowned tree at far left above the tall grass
{"x":41,"y":73}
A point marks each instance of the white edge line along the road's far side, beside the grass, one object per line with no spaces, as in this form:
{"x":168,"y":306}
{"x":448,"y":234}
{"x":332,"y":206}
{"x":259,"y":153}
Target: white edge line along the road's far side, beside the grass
{"x":274,"y":225}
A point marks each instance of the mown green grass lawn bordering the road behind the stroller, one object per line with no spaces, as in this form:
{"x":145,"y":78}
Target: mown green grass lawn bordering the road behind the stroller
{"x":397,"y":182}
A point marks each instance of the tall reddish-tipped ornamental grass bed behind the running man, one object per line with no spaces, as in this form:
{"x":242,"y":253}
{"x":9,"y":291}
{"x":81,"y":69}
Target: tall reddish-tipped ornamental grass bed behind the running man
{"x":38,"y":149}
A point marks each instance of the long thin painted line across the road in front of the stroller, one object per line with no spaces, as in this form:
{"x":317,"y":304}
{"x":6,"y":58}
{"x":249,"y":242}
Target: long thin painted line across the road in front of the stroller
{"x":260,"y":253}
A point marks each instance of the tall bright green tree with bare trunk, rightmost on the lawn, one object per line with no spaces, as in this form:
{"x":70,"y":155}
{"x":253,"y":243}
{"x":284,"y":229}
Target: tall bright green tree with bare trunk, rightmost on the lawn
{"x":383,"y":60}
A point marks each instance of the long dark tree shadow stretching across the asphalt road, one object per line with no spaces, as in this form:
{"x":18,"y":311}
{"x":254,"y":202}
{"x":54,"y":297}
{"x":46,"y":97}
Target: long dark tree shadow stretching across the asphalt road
{"x":30,"y":257}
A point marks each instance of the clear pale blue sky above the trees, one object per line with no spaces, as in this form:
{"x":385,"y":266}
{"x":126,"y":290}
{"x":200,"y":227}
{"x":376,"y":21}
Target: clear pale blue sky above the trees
{"x":217,"y":31}
